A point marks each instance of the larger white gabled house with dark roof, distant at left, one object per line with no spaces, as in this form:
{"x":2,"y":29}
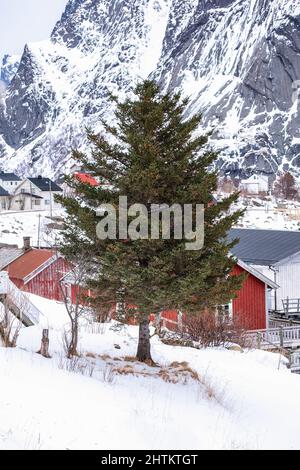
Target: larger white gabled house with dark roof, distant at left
{"x":36,"y":194}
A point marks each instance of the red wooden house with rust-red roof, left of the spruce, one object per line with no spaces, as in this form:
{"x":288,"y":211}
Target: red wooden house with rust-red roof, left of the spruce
{"x":34,"y":270}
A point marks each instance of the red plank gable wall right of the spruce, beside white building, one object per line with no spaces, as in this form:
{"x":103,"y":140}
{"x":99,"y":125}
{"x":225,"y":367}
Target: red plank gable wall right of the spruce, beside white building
{"x":250,"y":305}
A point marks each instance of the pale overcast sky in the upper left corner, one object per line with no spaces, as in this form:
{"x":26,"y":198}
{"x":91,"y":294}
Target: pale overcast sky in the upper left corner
{"x":23,"y":21}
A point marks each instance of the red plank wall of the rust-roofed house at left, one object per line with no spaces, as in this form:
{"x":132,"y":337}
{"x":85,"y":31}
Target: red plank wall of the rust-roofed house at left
{"x":46,"y":283}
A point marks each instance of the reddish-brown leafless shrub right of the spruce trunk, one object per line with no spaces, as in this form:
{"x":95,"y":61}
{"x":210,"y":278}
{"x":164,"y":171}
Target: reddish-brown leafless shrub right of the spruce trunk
{"x":209,"y":330}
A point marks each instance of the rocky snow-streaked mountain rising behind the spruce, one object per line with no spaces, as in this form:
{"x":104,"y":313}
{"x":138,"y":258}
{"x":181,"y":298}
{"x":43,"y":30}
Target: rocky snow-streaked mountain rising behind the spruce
{"x":238,"y":60}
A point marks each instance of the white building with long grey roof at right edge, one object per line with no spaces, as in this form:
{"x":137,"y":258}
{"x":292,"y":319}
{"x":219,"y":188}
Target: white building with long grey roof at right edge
{"x":274,"y":253}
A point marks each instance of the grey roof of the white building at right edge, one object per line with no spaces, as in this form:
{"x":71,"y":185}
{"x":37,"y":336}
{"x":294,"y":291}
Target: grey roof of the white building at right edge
{"x":264,"y":247}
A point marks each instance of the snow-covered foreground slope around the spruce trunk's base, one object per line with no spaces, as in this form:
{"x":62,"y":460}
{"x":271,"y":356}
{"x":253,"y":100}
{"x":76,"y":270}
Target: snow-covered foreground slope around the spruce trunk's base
{"x":221,"y":399}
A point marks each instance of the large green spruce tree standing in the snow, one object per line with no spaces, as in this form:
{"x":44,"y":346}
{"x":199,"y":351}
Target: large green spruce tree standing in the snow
{"x":152,"y":155}
